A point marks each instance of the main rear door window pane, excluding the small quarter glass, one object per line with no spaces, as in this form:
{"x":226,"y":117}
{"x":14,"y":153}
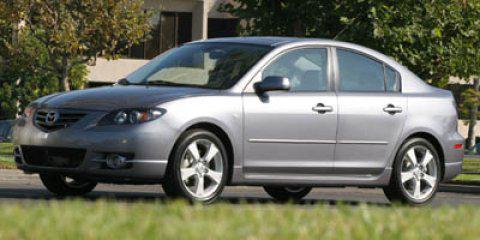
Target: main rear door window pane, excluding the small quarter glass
{"x":359,"y":73}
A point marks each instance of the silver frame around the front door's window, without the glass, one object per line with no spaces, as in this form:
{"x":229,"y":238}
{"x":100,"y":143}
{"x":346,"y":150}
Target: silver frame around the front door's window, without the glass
{"x":330,"y":74}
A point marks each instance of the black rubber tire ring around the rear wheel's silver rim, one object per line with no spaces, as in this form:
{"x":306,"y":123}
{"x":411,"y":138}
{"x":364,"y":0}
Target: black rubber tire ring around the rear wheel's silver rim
{"x":398,"y":169}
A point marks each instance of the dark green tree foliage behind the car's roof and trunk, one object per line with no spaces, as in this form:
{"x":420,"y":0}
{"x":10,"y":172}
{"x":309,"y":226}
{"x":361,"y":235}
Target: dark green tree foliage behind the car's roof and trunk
{"x":435,"y":39}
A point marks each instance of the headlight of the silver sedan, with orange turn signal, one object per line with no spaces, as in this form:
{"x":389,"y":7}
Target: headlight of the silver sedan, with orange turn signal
{"x":131,"y":116}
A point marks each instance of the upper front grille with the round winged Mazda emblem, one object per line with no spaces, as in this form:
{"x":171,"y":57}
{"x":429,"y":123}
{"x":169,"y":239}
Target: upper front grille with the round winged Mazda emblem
{"x":51,"y":120}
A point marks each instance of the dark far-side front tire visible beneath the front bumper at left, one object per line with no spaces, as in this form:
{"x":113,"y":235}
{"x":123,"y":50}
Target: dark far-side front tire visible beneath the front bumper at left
{"x":60,"y":186}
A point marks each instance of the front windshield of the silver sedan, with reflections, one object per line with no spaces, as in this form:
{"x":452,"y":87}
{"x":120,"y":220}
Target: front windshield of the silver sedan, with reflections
{"x":206,"y":65}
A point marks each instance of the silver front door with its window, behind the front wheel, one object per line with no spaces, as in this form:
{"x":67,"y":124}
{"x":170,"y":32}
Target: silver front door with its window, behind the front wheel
{"x":292,"y":132}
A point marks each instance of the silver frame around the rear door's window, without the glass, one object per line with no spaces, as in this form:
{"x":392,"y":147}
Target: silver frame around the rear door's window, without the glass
{"x":398,"y":76}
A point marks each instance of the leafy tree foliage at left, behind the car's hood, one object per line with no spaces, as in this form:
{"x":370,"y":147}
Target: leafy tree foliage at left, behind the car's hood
{"x":44,"y":45}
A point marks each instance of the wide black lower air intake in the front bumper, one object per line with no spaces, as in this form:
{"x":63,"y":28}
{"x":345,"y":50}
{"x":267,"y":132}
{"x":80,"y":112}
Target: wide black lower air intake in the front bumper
{"x":53,"y":156}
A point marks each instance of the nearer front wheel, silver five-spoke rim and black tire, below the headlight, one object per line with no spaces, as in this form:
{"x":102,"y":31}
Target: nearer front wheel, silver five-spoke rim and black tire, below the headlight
{"x":199,"y":159}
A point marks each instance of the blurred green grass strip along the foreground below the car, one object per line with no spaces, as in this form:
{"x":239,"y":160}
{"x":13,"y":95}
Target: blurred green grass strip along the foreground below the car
{"x":177,"y":220}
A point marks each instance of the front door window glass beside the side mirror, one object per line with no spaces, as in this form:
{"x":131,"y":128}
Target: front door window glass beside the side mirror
{"x":307,"y":69}
